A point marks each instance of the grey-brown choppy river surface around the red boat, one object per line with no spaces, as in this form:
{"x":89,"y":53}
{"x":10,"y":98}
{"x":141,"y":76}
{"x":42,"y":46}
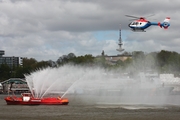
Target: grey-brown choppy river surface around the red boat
{"x":78,"y":109}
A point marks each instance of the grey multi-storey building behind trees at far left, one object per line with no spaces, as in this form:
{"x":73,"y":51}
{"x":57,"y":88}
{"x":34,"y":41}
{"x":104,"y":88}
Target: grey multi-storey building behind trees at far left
{"x":11,"y":61}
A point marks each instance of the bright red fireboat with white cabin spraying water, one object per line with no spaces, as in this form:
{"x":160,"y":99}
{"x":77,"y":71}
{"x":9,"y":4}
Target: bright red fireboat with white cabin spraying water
{"x":28,"y":99}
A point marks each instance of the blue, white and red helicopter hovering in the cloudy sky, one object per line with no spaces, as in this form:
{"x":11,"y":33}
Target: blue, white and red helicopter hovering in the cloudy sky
{"x":140,"y":23}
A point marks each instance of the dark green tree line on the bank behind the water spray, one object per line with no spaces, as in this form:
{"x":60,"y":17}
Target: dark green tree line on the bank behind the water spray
{"x":163,"y":62}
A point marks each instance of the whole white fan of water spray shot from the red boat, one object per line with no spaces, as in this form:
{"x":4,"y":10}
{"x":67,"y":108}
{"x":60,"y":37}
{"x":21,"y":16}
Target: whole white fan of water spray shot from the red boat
{"x":95,"y":83}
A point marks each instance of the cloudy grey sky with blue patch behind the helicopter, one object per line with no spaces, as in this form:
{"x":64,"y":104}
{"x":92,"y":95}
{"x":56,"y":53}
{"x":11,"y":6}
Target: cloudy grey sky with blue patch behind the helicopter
{"x":49,"y":29}
